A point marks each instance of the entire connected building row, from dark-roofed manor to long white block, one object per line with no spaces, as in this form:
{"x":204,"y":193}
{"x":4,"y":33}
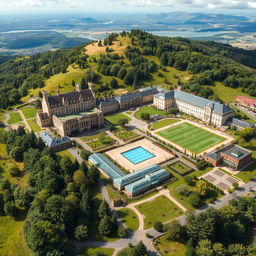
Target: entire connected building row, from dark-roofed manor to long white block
{"x":78,"y":111}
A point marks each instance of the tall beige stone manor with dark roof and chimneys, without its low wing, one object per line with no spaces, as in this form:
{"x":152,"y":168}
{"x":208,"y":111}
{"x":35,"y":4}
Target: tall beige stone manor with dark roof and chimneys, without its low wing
{"x":70,"y":113}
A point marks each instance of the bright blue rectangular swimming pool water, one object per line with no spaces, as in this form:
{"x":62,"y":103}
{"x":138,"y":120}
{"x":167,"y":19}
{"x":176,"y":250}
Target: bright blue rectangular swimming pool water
{"x":137,"y":155}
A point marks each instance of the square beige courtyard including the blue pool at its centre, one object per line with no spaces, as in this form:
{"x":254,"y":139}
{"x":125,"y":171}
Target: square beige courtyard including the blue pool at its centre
{"x":138,"y":155}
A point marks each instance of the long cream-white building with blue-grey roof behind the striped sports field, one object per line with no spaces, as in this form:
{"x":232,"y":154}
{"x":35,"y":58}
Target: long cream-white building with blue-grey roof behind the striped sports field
{"x":208,"y":111}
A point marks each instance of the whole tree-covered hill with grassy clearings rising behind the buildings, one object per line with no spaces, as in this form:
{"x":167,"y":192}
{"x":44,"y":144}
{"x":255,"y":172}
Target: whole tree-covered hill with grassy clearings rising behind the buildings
{"x":128,"y":61}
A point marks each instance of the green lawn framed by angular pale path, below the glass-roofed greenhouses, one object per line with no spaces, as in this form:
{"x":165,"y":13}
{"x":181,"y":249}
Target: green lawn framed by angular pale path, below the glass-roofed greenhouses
{"x":160,"y":209}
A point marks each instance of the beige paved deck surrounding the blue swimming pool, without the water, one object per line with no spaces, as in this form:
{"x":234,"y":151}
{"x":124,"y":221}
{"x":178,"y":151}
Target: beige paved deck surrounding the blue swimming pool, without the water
{"x":161,"y":155}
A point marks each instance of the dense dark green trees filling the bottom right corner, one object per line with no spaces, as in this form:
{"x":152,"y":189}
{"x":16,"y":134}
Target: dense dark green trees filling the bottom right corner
{"x":224,"y":232}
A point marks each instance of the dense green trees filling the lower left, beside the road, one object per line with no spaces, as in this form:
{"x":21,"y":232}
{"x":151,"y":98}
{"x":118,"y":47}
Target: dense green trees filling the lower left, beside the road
{"x":57,"y":202}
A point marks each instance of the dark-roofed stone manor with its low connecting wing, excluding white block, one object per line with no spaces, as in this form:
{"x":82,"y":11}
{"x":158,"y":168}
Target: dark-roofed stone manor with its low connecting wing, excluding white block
{"x":78,"y":111}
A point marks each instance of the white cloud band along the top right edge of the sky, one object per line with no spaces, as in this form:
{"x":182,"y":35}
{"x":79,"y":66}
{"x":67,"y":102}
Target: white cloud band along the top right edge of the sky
{"x":210,"y":4}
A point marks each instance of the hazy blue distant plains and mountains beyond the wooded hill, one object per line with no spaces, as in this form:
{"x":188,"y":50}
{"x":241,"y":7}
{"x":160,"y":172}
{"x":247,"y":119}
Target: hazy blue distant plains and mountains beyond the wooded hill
{"x":29,"y":35}
